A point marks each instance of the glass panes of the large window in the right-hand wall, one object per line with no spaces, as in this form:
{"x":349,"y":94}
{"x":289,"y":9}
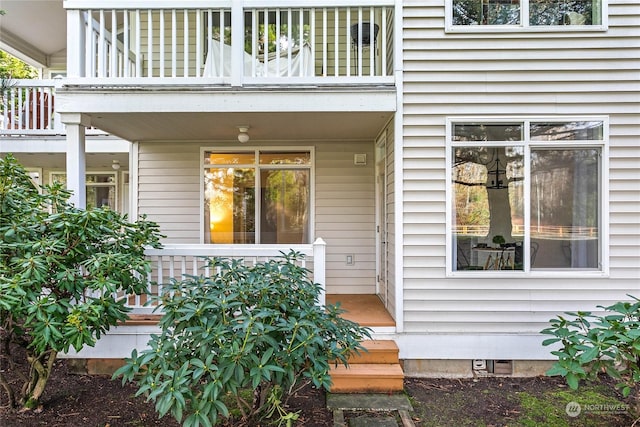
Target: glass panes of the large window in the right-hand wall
{"x":525,"y":195}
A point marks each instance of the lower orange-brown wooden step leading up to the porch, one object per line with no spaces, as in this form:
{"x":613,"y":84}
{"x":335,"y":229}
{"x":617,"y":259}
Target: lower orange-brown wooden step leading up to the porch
{"x":367,"y":378}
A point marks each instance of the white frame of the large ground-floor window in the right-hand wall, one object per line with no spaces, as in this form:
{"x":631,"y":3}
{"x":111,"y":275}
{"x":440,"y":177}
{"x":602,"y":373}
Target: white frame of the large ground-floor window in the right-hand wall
{"x":528,"y":145}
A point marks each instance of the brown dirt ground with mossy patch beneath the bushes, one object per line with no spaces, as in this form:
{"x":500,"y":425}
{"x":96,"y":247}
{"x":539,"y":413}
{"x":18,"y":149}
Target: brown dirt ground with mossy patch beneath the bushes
{"x":96,"y":401}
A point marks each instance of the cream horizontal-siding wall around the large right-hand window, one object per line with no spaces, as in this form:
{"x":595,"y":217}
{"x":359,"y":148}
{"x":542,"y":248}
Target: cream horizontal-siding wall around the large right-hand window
{"x":506,"y":74}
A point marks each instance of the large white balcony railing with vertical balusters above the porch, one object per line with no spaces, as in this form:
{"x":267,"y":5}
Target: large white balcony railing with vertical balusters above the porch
{"x":227,"y":42}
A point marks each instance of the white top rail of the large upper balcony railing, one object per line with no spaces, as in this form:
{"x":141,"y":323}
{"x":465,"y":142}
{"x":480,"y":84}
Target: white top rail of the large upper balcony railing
{"x":216,"y":4}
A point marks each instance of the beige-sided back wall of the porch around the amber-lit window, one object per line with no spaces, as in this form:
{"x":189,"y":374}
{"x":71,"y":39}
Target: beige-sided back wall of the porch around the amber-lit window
{"x":169,"y":193}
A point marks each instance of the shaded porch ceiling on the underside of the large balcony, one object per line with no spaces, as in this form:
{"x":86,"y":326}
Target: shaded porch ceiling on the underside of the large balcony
{"x":224,"y":126}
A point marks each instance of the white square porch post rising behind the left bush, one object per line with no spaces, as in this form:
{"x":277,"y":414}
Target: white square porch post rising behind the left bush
{"x":76,"y":162}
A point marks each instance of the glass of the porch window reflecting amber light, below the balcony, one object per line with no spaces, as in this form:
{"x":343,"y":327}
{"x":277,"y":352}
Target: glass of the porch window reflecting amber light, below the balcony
{"x":257,"y":197}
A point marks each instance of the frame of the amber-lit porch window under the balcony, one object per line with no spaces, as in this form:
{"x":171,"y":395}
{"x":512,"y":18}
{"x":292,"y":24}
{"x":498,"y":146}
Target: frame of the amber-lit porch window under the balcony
{"x":258,"y":167}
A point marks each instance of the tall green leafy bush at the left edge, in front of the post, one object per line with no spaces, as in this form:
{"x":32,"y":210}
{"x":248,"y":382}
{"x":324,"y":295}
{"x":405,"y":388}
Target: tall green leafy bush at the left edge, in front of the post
{"x":60,"y":274}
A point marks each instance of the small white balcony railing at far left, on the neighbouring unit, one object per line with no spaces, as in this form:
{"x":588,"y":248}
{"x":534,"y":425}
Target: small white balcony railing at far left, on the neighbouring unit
{"x":28,"y":107}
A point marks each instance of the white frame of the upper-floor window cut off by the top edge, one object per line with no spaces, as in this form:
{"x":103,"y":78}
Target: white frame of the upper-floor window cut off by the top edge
{"x":524,"y":23}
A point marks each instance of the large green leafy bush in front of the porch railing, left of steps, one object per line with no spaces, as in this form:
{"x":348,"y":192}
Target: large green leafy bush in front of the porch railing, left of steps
{"x":246,"y":327}
